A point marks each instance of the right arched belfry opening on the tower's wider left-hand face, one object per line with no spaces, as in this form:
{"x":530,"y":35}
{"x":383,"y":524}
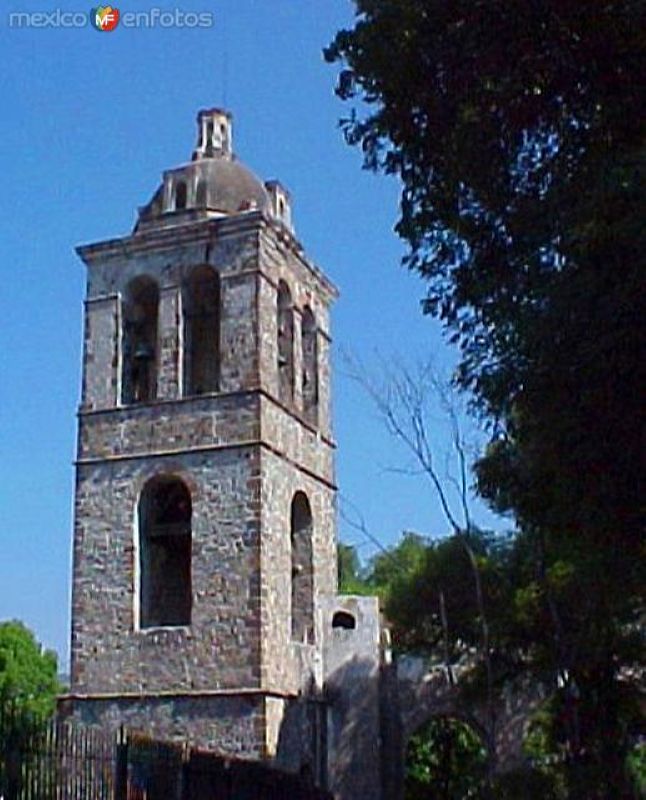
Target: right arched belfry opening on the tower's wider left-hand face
{"x":202,"y":331}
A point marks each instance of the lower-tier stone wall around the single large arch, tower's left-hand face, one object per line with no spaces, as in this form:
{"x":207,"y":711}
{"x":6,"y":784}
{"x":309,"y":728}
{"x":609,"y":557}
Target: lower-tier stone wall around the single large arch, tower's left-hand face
{"x":221,"y":648}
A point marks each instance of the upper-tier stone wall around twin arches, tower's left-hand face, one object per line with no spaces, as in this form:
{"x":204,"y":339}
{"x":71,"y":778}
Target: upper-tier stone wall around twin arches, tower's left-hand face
{"x":233,"y":252}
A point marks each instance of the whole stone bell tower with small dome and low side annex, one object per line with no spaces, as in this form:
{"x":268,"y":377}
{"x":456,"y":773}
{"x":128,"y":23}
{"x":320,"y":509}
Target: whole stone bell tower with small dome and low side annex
{"x":204,"y":601}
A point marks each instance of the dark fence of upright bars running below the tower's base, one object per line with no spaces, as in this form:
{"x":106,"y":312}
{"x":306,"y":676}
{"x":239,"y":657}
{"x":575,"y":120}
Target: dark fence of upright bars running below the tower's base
{"x":63,"y":761}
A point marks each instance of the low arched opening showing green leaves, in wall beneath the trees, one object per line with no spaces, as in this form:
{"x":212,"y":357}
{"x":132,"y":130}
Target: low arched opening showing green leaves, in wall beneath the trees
{"x":446,"y":759}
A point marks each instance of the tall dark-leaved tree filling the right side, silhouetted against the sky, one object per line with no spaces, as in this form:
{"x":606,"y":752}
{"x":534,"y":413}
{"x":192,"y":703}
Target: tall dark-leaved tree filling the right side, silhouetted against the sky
{"x":513,"y":130}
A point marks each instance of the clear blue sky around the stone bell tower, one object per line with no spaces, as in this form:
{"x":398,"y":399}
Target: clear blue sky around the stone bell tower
{"x":90,"y":120}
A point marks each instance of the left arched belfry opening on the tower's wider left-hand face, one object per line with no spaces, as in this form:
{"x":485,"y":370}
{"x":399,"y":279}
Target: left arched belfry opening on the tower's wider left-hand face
{"x":140,"y":311}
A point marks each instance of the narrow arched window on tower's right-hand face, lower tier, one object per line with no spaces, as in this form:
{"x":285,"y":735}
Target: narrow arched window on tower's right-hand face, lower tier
{"x":302,"y":575}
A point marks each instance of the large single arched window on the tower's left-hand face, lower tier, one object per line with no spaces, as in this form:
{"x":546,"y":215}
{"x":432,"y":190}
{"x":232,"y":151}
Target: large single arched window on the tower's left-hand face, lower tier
{"x":165,"y":553}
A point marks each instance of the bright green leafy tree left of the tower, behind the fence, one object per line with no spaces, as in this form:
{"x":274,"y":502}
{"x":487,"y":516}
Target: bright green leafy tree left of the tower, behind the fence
{"x":28,"y":682}
